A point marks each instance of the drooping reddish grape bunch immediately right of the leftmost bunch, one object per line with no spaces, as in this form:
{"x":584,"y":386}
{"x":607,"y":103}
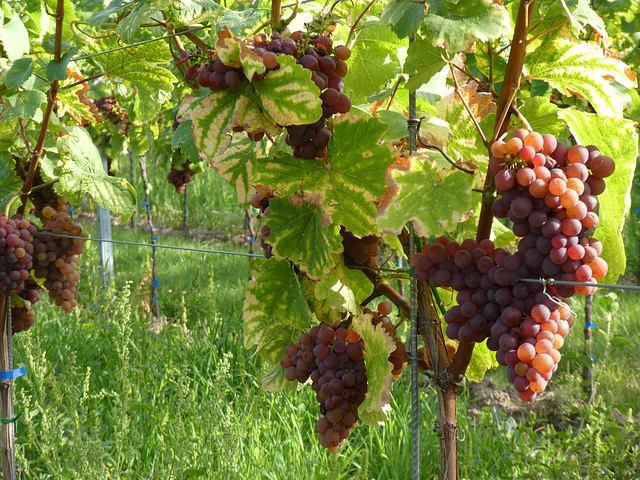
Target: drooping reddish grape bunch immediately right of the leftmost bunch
{"x":56,"y":257}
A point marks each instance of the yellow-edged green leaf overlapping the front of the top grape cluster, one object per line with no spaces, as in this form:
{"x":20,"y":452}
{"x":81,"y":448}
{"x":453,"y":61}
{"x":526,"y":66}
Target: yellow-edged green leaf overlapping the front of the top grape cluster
{"x":288,"y":95}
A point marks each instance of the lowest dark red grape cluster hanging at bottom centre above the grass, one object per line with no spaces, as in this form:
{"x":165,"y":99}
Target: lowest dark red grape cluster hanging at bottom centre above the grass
{"x":334,"y":360}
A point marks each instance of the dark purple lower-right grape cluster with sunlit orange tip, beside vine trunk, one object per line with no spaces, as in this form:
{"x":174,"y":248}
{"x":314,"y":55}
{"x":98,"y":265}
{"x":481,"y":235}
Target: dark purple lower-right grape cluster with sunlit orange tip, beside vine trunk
{"x":494,"y":304}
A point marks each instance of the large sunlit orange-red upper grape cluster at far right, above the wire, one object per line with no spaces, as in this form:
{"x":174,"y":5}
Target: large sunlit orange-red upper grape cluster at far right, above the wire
{"x":549,"y":192}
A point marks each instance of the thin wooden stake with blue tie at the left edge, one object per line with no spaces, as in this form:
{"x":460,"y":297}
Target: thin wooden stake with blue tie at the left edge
{"x":6,"y":393}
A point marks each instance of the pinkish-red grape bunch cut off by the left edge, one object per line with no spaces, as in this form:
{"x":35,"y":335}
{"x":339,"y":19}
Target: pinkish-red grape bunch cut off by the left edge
{"x":16,"y":235}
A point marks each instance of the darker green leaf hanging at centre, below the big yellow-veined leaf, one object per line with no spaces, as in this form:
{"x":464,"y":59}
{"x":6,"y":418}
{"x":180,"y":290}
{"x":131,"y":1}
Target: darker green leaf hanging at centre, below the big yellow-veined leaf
{"x":298,"y":235}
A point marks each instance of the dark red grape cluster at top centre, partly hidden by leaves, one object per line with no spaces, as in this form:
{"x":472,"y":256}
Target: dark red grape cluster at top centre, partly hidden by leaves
{"x":315,"y":53}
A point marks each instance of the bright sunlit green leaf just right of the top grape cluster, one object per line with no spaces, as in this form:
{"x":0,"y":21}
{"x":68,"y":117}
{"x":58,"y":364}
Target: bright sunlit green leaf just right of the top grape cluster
{"x":373,"y":61}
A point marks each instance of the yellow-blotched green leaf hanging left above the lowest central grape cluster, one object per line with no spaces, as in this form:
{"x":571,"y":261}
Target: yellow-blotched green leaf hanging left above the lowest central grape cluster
{"x":274,"y":315}
